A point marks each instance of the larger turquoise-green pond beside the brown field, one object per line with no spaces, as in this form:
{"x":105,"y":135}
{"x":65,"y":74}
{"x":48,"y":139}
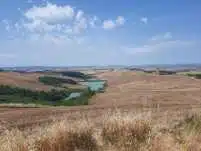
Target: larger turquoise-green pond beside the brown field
{"x":94,"y":85}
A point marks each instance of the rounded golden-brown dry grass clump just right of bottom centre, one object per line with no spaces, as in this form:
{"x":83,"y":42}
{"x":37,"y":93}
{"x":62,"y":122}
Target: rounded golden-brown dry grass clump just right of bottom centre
{"x":126,"y":131}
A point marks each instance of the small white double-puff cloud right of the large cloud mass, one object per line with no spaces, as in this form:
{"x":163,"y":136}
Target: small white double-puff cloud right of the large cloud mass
{"x":111,"y":24}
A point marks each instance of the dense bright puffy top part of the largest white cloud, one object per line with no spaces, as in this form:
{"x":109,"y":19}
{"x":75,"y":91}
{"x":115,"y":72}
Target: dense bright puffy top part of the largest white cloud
{"x":50,"y":13}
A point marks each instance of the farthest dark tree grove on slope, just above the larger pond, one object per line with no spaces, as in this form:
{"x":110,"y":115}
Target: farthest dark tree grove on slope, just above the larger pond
{"x":76,"y":74}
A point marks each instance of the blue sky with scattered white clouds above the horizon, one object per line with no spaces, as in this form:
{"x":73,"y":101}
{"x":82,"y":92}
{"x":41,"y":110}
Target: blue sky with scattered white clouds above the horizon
{"x":104,"y":32}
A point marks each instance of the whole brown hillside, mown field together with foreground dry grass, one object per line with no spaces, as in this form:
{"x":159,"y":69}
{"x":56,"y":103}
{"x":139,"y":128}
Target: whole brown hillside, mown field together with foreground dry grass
{"x":158,"y":112}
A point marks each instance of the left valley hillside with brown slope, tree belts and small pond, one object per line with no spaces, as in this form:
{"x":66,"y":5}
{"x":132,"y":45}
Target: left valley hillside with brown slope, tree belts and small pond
{"x":43,"y":89}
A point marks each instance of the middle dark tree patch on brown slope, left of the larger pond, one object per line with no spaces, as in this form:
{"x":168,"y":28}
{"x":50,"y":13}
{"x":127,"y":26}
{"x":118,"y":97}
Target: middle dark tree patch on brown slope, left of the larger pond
{"x":55,"y":81}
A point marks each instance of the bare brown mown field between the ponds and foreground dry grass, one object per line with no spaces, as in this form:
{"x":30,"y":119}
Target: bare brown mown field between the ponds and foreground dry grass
{"x":127,"y":91}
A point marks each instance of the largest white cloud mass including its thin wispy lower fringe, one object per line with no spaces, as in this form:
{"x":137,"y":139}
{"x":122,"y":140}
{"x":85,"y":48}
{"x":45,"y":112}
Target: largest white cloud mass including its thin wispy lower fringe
{"x":58,"y":18}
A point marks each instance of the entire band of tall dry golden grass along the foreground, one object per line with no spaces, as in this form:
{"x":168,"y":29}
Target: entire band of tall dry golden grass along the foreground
{"x":116,"y":132}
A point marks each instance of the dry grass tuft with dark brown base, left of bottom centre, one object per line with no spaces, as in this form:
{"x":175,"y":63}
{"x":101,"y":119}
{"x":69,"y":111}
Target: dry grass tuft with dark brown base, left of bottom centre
{"x":62,"y":137}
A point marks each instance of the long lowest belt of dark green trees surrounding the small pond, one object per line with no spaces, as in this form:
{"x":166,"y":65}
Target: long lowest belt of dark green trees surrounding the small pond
{"x":54,"y":97}
